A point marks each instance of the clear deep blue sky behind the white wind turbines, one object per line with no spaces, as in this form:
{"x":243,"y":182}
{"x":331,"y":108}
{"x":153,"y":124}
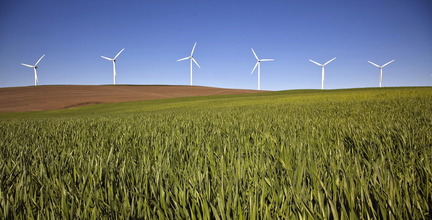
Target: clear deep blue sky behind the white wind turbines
{"x":74,"y":34}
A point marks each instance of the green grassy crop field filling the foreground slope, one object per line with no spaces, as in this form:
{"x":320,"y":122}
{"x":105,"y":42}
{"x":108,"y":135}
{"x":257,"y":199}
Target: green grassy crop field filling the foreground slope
{"x":336,"y":154}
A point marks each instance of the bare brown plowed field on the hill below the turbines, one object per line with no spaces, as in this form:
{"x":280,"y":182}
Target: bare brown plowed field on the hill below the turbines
{"x":40,"y":98}
